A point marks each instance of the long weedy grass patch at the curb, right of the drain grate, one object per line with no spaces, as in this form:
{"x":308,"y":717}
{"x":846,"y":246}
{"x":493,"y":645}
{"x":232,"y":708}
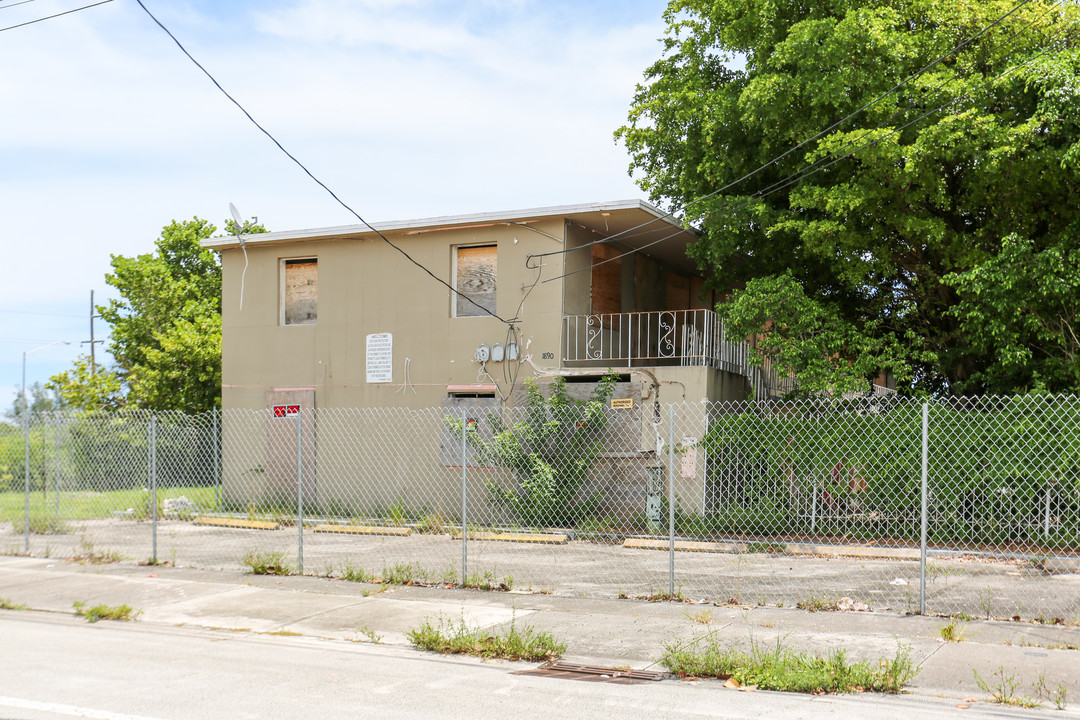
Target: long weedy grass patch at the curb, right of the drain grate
{"x":789,"y":671}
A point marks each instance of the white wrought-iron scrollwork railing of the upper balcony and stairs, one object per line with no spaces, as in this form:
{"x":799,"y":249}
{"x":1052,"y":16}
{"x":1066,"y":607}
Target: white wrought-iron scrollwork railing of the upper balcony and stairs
{"x":694,"y":338}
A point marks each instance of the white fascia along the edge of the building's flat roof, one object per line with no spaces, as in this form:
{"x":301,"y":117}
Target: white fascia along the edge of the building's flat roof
{"x":448,"y":221}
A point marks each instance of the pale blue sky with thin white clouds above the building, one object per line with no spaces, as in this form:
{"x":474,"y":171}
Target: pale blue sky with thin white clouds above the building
{"x":407,"y":108}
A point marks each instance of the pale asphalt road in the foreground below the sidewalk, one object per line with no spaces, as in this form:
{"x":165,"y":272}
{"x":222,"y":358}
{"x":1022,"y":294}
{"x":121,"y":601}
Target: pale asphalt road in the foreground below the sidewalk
{"x":56,"y":667}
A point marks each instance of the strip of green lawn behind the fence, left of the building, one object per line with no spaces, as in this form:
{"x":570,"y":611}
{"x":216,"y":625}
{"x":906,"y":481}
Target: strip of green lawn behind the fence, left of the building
{"x":89,"y":505}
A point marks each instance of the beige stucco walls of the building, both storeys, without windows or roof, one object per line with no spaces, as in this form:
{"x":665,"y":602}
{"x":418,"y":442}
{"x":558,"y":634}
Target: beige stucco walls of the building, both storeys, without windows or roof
{"x":366,"y":287}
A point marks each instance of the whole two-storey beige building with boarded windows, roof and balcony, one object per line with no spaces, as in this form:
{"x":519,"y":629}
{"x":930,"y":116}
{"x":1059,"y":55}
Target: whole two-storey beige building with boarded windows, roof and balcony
{"x":340,"y":319}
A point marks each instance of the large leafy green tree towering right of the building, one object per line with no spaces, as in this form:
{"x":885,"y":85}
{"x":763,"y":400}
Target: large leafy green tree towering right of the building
{"x":908,"y":201}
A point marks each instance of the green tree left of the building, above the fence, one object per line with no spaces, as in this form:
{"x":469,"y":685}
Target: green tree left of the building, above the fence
{"x":166,"y":329}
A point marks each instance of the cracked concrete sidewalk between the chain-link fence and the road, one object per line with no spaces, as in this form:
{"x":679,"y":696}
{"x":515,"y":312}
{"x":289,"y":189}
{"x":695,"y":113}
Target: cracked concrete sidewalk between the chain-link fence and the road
{"x":599,"y":632}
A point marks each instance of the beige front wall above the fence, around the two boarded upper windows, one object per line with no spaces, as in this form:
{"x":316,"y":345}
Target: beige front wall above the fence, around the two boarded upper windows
{"x":366,"y":287}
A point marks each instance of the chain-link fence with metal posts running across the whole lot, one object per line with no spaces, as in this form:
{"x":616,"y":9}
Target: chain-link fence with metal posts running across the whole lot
{"x":964,"y":506}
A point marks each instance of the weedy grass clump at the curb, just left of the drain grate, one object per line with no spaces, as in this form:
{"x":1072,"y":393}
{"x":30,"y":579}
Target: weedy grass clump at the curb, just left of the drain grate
{"x":449,"y":639}
